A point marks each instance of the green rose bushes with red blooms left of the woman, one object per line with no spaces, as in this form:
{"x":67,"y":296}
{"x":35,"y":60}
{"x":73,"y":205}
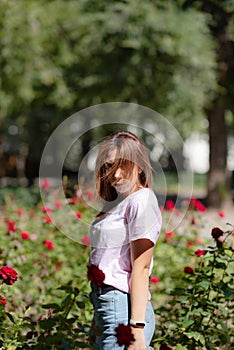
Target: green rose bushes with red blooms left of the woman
{"x":41,"y":269}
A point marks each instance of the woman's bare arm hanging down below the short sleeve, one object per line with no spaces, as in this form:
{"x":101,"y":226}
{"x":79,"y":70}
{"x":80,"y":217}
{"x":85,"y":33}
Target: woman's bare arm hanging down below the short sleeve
{"x":141,"y":254}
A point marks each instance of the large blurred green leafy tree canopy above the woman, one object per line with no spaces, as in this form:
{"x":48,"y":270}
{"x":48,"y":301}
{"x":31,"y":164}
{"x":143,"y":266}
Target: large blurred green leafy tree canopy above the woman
{"x":70,"y":55}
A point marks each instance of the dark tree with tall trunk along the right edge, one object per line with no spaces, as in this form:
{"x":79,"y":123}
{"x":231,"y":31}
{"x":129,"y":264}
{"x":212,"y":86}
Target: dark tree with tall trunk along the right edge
{"x":220,"y":17}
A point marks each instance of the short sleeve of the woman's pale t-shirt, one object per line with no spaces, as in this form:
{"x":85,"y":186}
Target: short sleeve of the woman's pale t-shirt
{"x":143,"y":216}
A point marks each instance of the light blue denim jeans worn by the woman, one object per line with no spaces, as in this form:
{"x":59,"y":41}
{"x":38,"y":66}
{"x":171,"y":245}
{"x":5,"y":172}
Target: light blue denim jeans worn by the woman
{"x":112,"y":307}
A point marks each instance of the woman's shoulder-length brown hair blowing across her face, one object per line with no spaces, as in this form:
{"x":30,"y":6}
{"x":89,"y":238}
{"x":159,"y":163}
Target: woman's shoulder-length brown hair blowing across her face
{"x":129,"y":152}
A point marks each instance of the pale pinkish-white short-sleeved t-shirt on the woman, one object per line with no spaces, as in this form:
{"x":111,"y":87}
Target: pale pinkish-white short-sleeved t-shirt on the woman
{"x":137,"y":216}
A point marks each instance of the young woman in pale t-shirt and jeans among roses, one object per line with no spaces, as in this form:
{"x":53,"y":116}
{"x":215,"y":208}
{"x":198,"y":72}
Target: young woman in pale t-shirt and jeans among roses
{"x":123,"y":236}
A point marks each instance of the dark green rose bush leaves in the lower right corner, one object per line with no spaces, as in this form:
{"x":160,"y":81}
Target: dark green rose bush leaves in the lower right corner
{"x":200,"y":310}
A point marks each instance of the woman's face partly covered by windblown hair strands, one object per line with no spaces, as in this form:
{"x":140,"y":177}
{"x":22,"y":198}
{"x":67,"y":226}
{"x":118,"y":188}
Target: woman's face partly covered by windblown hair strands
{"x":123,"y":179}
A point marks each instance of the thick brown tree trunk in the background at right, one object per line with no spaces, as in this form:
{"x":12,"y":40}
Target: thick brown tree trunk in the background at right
{"x":218,"y":177}
